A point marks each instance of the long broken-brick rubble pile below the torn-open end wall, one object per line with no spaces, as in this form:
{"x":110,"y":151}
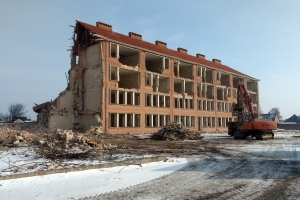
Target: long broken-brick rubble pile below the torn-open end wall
{"x":63,"y":144}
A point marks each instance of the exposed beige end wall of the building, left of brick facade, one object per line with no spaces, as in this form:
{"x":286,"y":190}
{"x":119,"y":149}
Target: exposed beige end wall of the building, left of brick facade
{"x":79,"y":106}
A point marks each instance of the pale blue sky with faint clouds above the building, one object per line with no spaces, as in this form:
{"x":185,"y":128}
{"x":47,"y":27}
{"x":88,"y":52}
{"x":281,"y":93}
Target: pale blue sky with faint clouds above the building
{"x":258,"y":38}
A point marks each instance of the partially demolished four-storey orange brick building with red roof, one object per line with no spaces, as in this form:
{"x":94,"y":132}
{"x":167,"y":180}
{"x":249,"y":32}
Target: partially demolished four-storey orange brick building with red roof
{"x":124,"y":84}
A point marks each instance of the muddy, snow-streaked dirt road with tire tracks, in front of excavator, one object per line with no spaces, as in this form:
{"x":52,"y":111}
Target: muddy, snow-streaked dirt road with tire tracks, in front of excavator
{"x":222,"y":168}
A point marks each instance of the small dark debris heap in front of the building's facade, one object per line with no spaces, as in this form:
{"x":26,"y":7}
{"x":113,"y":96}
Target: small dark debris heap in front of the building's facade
{"x":175,"y":131}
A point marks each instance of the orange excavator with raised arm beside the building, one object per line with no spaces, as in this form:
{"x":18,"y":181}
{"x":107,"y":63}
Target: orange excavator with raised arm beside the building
{"x":245,"y":123}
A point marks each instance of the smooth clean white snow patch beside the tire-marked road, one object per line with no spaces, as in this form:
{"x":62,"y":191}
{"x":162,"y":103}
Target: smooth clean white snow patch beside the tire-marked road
{"x":86,"y":183}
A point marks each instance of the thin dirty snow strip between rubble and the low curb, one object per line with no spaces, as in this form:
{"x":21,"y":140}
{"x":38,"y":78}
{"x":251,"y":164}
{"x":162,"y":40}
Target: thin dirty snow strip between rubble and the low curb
{"x":25,"y":160}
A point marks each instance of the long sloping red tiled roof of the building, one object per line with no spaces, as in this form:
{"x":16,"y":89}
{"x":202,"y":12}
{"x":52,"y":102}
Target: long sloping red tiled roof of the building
{"x":153,"y":47}
